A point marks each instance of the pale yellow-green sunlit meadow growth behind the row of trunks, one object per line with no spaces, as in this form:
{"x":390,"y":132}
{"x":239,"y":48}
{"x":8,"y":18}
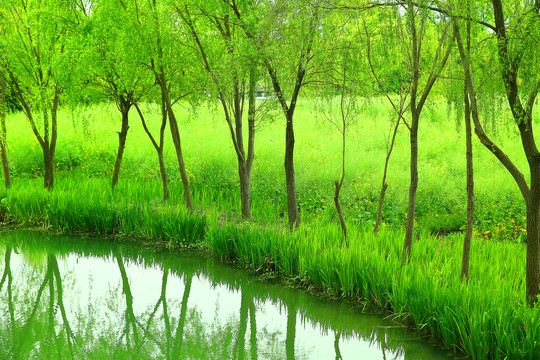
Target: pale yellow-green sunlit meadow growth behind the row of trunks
{"x":88,"y":140}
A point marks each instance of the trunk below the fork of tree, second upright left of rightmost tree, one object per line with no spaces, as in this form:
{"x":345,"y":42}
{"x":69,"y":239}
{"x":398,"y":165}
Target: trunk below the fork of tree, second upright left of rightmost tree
{"x":407,"y":245}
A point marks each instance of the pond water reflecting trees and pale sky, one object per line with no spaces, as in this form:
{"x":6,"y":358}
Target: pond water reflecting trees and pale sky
{"x":68,"y":297}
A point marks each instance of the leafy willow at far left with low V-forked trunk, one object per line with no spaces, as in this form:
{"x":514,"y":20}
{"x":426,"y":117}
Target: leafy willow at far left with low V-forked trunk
{"x":36,"y":65}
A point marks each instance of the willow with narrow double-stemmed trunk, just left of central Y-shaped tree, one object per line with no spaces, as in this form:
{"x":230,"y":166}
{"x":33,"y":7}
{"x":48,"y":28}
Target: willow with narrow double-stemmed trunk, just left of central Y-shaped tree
{"x":232,"y":71}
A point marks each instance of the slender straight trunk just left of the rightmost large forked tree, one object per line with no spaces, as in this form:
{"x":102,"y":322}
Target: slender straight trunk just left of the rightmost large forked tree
{"x":470,"y":192}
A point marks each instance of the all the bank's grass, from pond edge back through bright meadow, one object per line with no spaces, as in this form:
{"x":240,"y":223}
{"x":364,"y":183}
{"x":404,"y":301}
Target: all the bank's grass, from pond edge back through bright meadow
{"x":487,"y":318}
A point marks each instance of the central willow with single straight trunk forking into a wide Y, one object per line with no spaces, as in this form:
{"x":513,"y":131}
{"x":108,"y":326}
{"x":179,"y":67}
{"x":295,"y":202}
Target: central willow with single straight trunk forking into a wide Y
{"x":285,"y":36}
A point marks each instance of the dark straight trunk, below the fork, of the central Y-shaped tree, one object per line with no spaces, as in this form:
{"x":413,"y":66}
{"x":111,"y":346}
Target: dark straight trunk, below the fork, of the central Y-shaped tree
{"x":292,"y":206}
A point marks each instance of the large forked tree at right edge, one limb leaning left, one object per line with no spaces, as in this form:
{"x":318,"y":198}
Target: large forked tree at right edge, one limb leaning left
{"x":517,"y":29}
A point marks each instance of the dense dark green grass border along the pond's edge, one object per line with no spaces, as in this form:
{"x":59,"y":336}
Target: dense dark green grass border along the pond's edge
{"x":486,"y":318}
